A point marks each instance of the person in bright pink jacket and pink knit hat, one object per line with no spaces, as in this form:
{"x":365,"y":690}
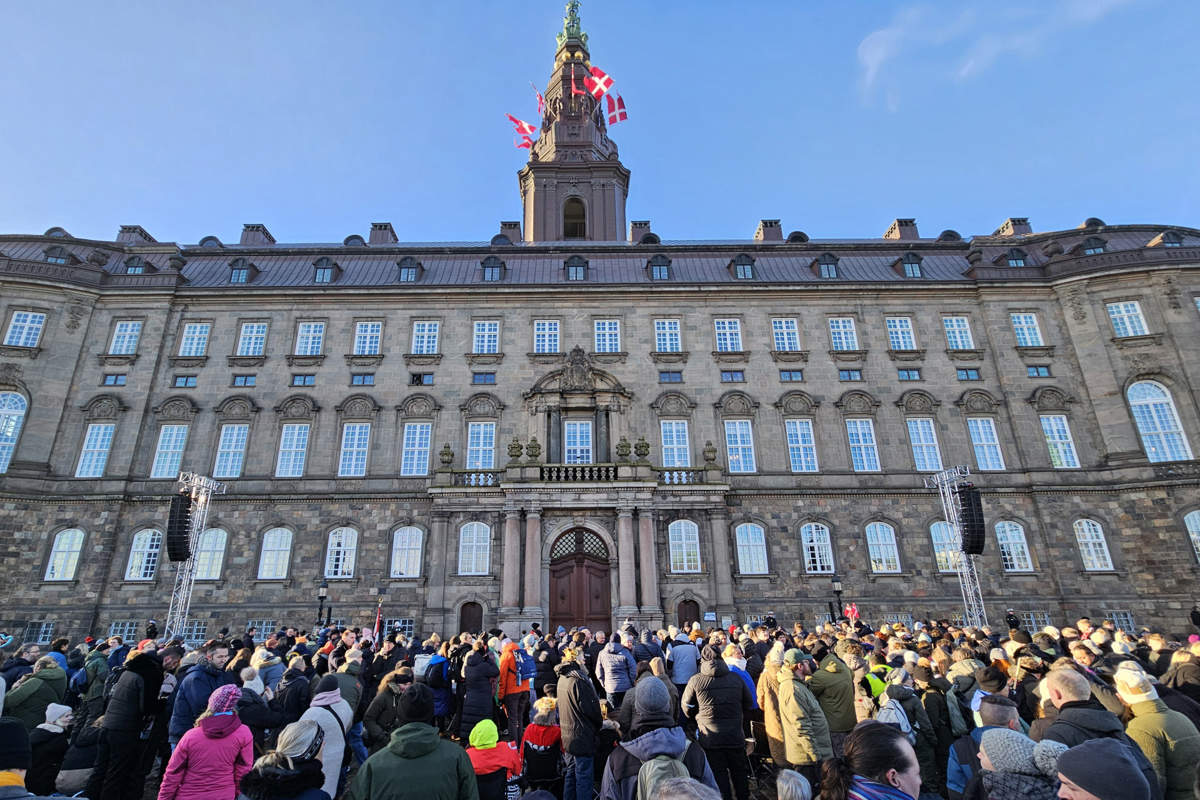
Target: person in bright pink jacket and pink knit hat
{"x":212,"y":759}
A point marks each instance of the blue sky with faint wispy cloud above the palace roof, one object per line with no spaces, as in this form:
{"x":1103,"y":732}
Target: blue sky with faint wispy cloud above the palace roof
{"x":321,"y":118}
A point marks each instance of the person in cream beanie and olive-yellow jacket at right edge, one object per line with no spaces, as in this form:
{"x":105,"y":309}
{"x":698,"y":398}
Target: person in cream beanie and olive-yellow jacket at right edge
{"x":1167,"y":738}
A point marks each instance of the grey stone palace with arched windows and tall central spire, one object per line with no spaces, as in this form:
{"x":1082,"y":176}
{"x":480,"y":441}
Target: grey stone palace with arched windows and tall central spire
{"x":581,"y":422}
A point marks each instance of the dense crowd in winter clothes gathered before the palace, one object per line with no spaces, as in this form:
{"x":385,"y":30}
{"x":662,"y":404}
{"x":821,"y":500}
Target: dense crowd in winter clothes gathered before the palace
{"x":842,"y":712}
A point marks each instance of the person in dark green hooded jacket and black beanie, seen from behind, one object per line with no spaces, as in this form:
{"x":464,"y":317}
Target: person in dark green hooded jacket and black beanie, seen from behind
{"x":417,"y":765}
